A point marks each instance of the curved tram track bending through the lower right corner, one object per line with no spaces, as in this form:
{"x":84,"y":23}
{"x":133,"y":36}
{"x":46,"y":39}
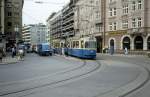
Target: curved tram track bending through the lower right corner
{"x":128,"y":91}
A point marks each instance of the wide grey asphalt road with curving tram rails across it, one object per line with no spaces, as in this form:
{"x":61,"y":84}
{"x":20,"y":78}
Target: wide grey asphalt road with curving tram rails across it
{"x":59,"y":76}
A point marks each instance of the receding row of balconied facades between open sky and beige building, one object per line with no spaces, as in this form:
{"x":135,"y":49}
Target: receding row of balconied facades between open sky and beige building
{"x":61,"y":24}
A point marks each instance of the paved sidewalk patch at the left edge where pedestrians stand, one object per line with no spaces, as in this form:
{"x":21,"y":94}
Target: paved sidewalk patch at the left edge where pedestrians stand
{"x":9,"y":60}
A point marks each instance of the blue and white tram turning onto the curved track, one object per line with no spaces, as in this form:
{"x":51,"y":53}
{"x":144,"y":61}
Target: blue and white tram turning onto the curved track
{"x":83,"y":48}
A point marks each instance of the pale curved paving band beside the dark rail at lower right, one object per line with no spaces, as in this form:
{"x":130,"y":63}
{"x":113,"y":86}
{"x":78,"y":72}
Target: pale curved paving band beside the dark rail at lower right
{"x":140,"y":81}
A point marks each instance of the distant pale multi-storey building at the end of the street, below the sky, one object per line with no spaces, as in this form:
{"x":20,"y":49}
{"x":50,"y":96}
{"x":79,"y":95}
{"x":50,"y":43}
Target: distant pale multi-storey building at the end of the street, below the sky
{"x":34,"y":34}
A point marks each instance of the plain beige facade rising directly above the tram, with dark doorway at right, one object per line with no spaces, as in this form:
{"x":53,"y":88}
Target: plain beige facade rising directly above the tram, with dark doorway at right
{"x":88,"y":20}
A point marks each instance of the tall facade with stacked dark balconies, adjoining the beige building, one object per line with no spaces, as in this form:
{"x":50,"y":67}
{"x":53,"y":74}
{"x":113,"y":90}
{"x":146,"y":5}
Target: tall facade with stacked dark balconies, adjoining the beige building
{"x":68,"y":21}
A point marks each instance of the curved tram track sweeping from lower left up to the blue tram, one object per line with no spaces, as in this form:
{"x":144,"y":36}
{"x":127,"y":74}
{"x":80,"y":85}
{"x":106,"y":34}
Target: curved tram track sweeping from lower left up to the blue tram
{"x":89,"y":68}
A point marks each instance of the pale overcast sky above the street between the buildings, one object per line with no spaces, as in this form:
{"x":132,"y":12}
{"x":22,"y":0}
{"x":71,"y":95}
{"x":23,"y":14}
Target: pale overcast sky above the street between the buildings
{"x":34,"y":13}
